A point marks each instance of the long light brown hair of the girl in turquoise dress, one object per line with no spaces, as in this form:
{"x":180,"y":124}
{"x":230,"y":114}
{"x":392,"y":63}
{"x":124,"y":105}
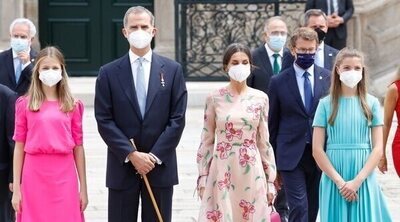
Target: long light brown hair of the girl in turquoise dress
{"x":336,"y":84}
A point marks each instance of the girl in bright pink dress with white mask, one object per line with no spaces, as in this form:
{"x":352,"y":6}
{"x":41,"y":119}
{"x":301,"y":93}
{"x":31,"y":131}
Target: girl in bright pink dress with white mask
{"x":49,"y":157}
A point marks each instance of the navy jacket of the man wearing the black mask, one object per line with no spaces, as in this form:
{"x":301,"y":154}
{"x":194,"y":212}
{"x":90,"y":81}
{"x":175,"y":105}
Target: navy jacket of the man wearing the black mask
{"x":329,"y":58}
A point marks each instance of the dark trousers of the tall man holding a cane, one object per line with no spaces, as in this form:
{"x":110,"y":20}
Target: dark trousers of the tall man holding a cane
{"x":123,"y":204}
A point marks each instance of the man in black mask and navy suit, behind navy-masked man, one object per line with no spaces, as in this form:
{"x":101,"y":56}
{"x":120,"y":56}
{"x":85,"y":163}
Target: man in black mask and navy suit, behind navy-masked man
{"x":325,"y":55}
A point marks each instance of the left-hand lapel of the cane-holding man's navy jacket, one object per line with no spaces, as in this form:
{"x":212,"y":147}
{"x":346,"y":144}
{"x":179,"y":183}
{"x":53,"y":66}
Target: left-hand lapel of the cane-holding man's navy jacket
{"x":127,"y":83}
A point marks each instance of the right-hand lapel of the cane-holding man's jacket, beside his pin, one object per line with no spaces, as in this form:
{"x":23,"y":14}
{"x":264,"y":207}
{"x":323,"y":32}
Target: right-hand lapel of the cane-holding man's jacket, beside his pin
{"x":156,"y":72}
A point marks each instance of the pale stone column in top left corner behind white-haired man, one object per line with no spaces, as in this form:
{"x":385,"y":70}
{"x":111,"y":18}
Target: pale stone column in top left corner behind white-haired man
{"x":9,"y":10}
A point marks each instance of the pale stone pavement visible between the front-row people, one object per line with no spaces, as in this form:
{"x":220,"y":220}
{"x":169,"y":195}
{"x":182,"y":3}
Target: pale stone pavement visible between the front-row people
{"x":186,"y":204}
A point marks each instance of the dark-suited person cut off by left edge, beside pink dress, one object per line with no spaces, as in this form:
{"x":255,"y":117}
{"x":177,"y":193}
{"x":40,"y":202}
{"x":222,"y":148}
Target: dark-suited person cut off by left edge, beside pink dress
{"x":7,"y":103}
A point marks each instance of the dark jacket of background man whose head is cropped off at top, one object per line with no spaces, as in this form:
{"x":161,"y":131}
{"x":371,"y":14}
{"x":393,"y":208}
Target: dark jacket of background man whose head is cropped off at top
{"x":345,"y":10}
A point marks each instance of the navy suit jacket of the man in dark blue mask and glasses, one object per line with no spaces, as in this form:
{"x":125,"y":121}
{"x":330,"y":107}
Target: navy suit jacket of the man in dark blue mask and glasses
{"x":289,"y":122}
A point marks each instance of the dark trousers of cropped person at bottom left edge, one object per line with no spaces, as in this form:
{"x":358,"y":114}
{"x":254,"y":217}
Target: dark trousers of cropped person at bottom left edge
{"x":6,"y":210}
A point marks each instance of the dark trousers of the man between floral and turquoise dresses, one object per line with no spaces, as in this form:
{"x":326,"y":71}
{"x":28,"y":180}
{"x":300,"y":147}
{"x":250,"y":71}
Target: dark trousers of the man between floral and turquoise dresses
{"x":302,"y":187}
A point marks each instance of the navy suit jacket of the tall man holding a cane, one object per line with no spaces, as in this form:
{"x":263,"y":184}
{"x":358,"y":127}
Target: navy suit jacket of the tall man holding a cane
{"x":119,"y":119}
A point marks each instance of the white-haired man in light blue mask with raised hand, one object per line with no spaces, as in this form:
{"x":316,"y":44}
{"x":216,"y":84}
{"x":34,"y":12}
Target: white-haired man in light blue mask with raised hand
{"x":16,"y":63}
